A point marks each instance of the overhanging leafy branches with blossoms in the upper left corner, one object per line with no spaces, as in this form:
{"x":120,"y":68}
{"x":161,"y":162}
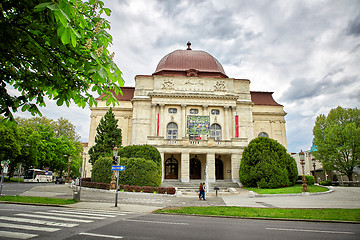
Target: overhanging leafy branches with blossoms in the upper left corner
{"x":57,"y":49}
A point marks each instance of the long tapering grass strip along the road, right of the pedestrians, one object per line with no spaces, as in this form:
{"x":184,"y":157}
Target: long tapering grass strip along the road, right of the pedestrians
{"x":311,"y":214}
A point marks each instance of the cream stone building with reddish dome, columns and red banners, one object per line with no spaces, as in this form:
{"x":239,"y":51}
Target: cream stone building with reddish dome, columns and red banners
{"x":198,"y":118}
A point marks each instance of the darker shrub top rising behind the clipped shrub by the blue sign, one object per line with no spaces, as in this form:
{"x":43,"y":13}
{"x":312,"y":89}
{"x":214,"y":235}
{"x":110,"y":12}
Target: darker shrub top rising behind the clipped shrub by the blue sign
{"x":141,"y":151}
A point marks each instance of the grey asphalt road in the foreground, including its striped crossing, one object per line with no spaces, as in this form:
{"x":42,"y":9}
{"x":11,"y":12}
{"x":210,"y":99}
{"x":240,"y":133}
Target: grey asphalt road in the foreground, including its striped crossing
{"x":64,"y":223}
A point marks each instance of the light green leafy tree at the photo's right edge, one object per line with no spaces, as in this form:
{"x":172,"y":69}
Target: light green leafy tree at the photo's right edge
{"x":337,"y":138}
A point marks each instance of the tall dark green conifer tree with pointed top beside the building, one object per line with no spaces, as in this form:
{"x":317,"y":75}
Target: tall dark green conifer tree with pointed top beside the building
{"x":108,"y":135}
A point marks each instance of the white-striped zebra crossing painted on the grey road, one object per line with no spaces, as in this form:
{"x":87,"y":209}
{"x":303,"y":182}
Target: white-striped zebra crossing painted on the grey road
{"x":30,"y":224}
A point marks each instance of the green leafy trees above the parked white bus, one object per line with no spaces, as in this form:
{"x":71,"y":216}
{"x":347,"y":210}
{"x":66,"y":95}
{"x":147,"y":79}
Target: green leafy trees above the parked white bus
{"x":37,"y":147}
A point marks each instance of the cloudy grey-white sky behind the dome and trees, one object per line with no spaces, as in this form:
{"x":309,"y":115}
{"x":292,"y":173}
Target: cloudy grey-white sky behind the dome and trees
{"x":307,"y":52}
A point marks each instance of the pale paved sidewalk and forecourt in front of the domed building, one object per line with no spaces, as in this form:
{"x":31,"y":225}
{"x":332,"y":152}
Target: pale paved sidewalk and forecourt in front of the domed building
{"x":341,"y":197}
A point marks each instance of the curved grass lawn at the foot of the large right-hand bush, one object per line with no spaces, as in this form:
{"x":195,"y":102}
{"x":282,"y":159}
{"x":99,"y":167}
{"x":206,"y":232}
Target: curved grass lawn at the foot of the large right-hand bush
{"x":288,"y":190}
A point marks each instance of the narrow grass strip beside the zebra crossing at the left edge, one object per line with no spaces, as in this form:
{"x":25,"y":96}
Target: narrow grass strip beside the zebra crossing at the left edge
{"x":39,"y":200}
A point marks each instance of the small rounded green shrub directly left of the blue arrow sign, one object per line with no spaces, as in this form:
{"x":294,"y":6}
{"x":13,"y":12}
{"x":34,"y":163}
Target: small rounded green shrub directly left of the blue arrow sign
{"x":101,"y":171}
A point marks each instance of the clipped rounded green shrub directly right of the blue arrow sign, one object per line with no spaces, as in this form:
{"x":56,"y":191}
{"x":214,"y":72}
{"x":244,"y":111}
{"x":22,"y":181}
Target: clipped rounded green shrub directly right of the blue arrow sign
{"x":140,"y":172}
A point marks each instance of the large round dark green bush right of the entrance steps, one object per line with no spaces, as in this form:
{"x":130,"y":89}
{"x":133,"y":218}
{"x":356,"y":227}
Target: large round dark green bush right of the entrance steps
{"x":266,"y":164}
